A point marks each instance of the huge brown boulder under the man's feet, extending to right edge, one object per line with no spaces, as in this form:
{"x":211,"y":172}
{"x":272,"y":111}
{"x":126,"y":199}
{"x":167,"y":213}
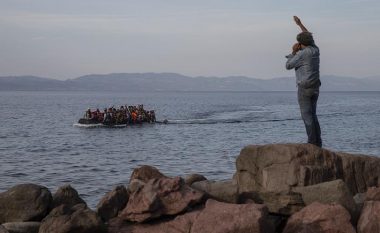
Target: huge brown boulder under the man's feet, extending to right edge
{"x":278,"y":167}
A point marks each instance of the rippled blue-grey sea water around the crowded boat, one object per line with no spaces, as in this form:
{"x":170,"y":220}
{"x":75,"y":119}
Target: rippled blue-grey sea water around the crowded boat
{"x":40,"y":144}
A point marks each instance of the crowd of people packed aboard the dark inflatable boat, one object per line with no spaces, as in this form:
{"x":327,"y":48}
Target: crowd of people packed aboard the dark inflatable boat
{"x":122,"y":115}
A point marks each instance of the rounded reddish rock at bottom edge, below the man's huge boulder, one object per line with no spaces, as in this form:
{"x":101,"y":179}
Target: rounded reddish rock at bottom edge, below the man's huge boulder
{"x":320,"y":218}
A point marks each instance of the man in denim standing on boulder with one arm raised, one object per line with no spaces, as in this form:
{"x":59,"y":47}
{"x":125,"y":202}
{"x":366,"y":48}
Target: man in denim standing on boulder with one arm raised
{"x":305,"y":60}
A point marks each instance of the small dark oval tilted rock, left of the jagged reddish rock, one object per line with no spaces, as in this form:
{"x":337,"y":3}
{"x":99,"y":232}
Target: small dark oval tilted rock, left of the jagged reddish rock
{"x":113,"y":202}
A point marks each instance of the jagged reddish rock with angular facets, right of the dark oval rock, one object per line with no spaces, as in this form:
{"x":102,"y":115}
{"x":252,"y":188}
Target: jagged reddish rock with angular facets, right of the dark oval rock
{"x":158,"y":197}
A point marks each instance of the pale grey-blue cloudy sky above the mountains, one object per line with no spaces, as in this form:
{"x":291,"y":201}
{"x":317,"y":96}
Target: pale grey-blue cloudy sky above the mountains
{"x":66,"y":39}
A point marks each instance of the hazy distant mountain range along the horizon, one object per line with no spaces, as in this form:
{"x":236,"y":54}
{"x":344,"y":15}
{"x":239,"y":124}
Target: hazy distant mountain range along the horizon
{"x":178,"y":82}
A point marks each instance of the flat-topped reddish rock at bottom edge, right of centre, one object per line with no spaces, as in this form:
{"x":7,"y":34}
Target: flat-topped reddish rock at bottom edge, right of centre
{"x":218,"y":217}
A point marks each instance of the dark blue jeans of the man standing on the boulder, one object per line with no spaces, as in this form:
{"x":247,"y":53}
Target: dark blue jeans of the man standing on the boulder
{"x":307,"y":99}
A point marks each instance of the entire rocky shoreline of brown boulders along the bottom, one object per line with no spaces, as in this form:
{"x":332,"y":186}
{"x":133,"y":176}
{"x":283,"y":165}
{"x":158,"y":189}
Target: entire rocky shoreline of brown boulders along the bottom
{"x":289,"y":188}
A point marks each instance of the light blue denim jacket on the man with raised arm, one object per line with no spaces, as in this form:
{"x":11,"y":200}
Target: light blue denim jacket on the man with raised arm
{"x":306,"y":64}
